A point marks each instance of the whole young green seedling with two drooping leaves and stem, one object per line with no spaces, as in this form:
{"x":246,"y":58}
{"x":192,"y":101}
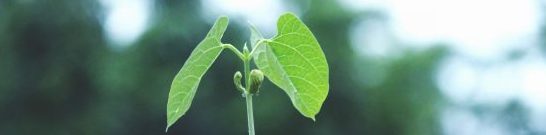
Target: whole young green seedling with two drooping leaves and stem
{"x":292,"y":60}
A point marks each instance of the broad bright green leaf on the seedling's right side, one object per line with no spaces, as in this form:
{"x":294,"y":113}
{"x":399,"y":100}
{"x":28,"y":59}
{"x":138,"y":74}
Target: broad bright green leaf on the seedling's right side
{"x":294,"y":61}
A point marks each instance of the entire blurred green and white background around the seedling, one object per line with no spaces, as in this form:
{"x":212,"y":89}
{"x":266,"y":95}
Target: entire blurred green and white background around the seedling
{"x":398,"y":67}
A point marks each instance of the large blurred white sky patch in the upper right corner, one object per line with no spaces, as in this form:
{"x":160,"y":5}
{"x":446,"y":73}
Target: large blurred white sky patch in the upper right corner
{"x":483,"y":29}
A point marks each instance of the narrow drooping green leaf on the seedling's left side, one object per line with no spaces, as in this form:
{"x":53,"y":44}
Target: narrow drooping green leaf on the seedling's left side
{"x":185,"y":83}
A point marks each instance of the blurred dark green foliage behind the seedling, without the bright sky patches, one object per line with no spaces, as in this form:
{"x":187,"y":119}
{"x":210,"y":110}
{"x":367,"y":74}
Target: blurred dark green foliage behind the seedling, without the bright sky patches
{"x":60,"y":76}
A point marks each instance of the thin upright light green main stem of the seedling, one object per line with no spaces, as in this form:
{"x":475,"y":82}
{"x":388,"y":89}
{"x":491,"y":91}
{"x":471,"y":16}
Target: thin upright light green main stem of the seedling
{"x":248,"y":95}
